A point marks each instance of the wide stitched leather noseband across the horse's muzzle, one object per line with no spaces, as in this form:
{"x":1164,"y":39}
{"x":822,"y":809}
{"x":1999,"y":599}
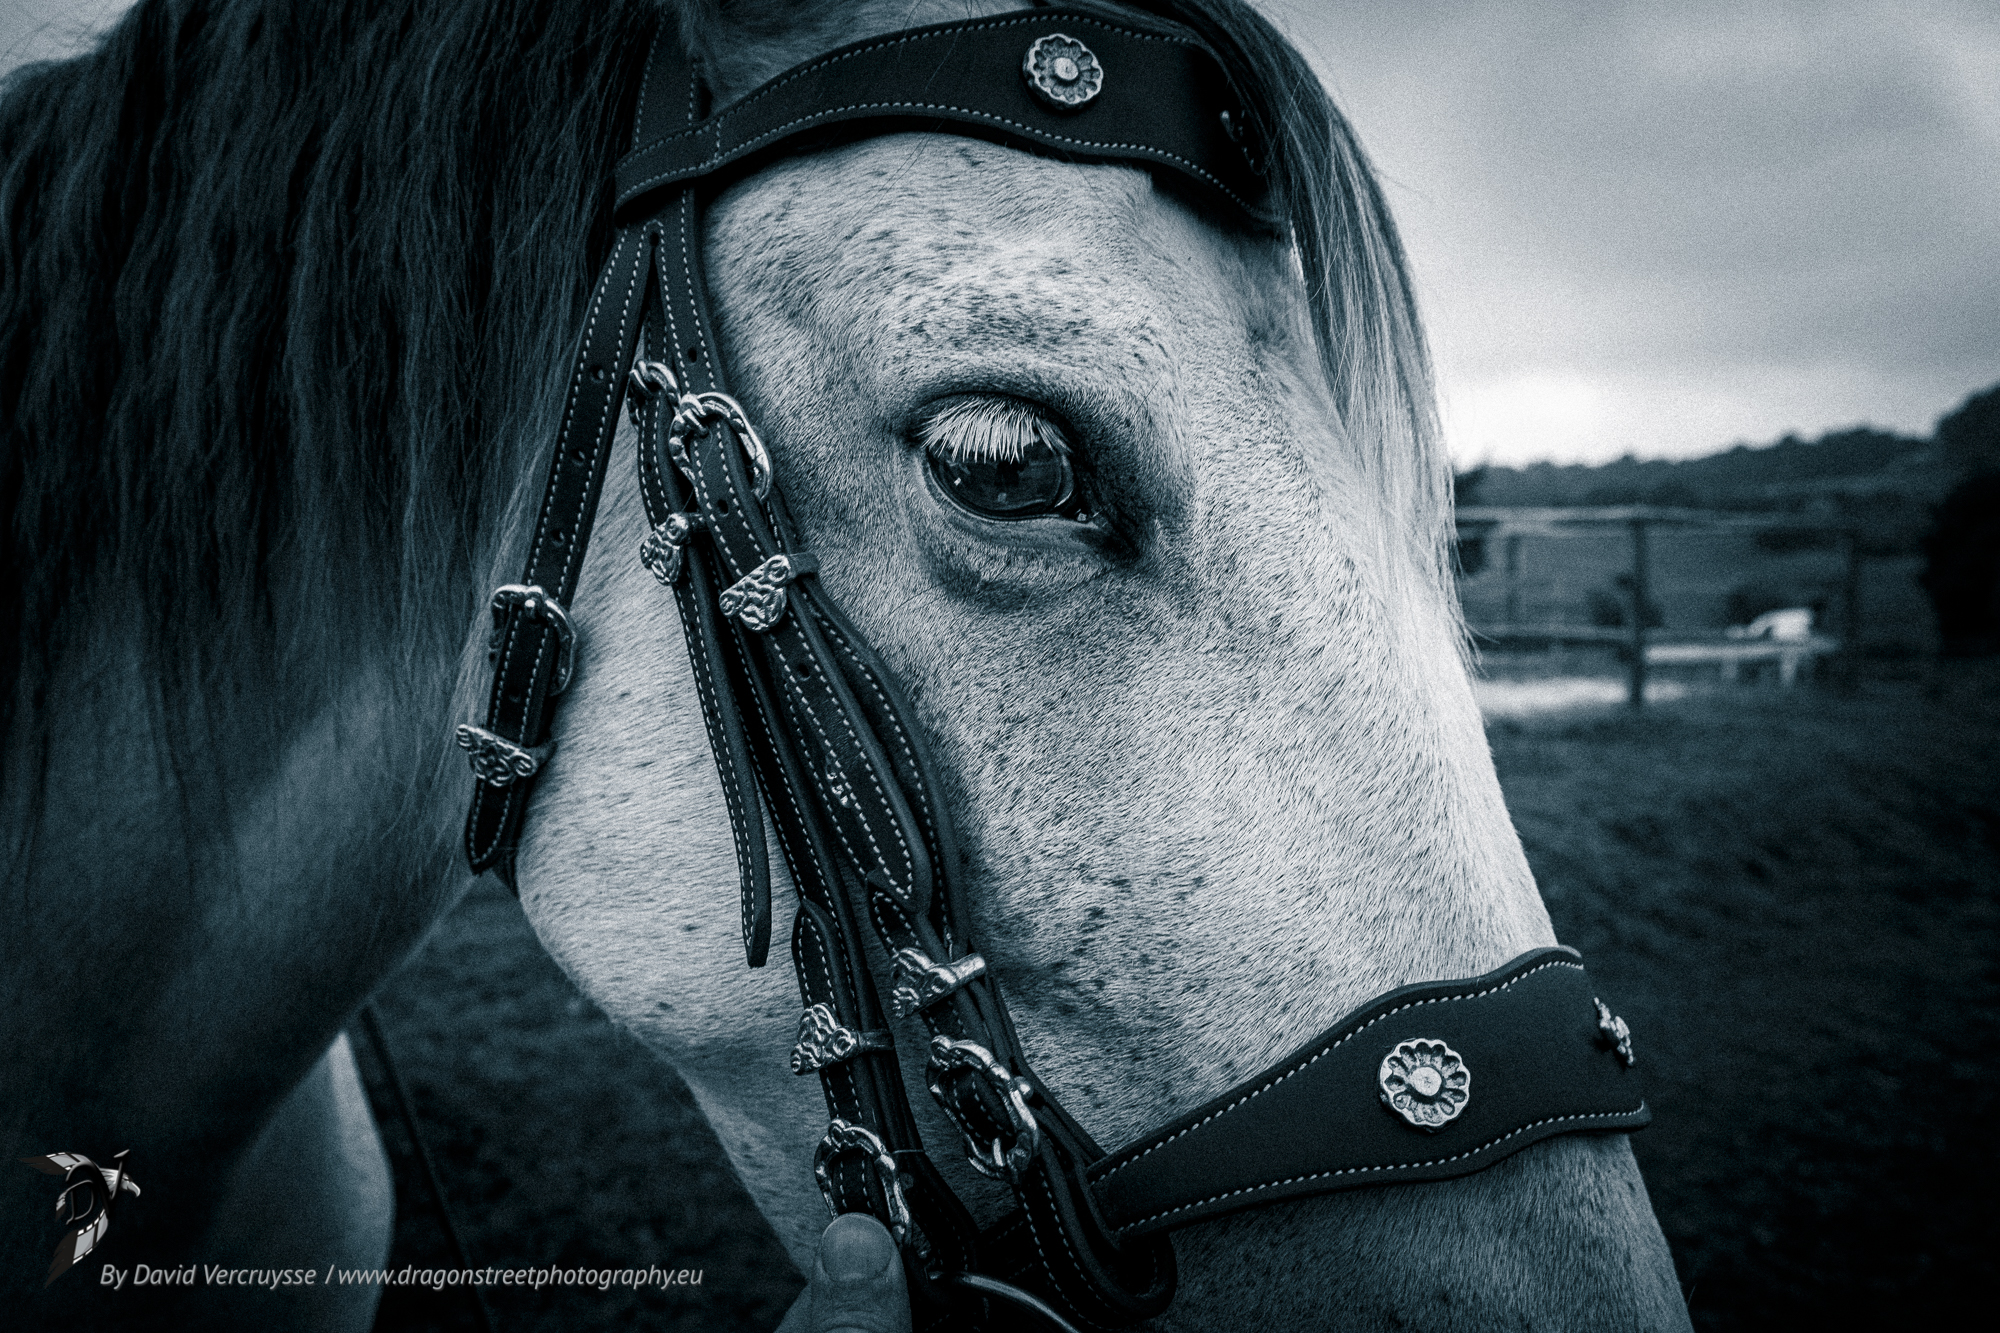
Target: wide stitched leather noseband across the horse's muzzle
{"x":1527,"y":1036}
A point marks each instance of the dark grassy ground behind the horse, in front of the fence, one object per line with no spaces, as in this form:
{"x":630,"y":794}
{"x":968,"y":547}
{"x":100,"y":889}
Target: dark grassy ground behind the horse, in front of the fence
{"x":1791,"y":896}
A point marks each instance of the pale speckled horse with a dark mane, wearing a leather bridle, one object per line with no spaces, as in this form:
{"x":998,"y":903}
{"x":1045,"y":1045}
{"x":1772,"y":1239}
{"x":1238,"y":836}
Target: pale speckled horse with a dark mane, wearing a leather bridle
{"x":289,"y":299}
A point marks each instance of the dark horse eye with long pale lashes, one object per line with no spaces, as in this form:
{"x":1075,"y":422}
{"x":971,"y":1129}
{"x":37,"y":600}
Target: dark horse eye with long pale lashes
{"x":1001,"y":459}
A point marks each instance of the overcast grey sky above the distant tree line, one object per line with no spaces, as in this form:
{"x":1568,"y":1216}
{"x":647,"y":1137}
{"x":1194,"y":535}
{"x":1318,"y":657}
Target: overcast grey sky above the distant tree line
{"x":1653,"y":229}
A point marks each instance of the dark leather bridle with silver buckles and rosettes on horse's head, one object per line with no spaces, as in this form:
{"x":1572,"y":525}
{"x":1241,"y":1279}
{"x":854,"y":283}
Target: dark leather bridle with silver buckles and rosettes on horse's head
{"x":809,"y":728}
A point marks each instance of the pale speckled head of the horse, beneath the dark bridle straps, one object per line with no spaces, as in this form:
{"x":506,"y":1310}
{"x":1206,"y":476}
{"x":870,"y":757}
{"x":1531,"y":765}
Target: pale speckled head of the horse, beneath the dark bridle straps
{"x":1145,"y":509}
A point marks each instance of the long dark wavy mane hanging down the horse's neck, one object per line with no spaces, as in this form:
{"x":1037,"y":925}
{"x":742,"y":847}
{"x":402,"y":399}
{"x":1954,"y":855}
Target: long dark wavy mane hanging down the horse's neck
{"x":283,"y":293}
